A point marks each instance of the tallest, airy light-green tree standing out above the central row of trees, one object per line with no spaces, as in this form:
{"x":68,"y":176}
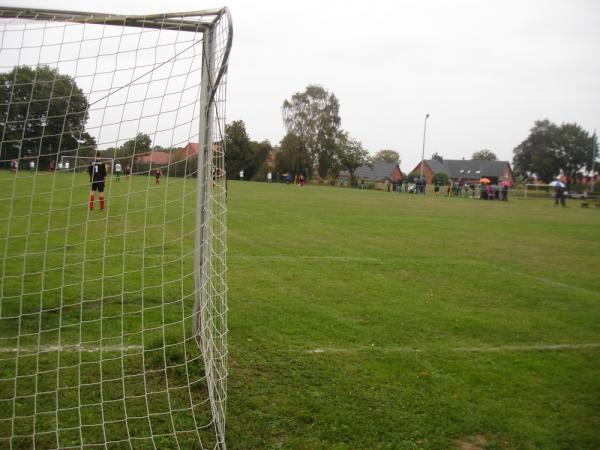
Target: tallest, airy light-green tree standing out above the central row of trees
{"x":313,"y":117}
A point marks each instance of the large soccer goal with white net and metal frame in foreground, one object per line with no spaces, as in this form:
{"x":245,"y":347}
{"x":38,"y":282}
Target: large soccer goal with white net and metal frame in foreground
{"x":113,"y":309}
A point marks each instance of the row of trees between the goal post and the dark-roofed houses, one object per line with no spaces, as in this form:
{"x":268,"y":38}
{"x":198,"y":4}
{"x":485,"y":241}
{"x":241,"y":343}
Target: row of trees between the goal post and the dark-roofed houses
{"x":314,"y":143}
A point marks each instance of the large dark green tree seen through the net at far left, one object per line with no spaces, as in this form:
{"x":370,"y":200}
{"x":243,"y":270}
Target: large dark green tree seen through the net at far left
{"x":42,"y":113}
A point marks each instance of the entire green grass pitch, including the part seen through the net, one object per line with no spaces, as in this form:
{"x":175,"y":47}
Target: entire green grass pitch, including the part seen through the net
{"x":358,"y":319}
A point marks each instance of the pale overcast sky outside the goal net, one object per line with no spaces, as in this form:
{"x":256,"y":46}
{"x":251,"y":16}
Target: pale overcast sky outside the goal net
{"x":483,"y":70}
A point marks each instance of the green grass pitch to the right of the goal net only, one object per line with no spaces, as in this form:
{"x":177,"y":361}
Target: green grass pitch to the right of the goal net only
{"x":362,"y":319}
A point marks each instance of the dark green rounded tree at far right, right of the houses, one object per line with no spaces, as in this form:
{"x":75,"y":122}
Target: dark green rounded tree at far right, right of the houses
{"x":550,"y":149}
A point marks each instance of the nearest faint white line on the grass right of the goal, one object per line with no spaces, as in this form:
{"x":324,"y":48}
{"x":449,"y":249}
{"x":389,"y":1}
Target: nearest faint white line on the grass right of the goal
{"x":498,"y":349}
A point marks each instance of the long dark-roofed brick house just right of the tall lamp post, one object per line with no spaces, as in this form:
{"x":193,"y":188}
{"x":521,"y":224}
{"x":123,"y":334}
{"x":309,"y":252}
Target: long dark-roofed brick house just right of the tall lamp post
{"x":466,"y":170}
